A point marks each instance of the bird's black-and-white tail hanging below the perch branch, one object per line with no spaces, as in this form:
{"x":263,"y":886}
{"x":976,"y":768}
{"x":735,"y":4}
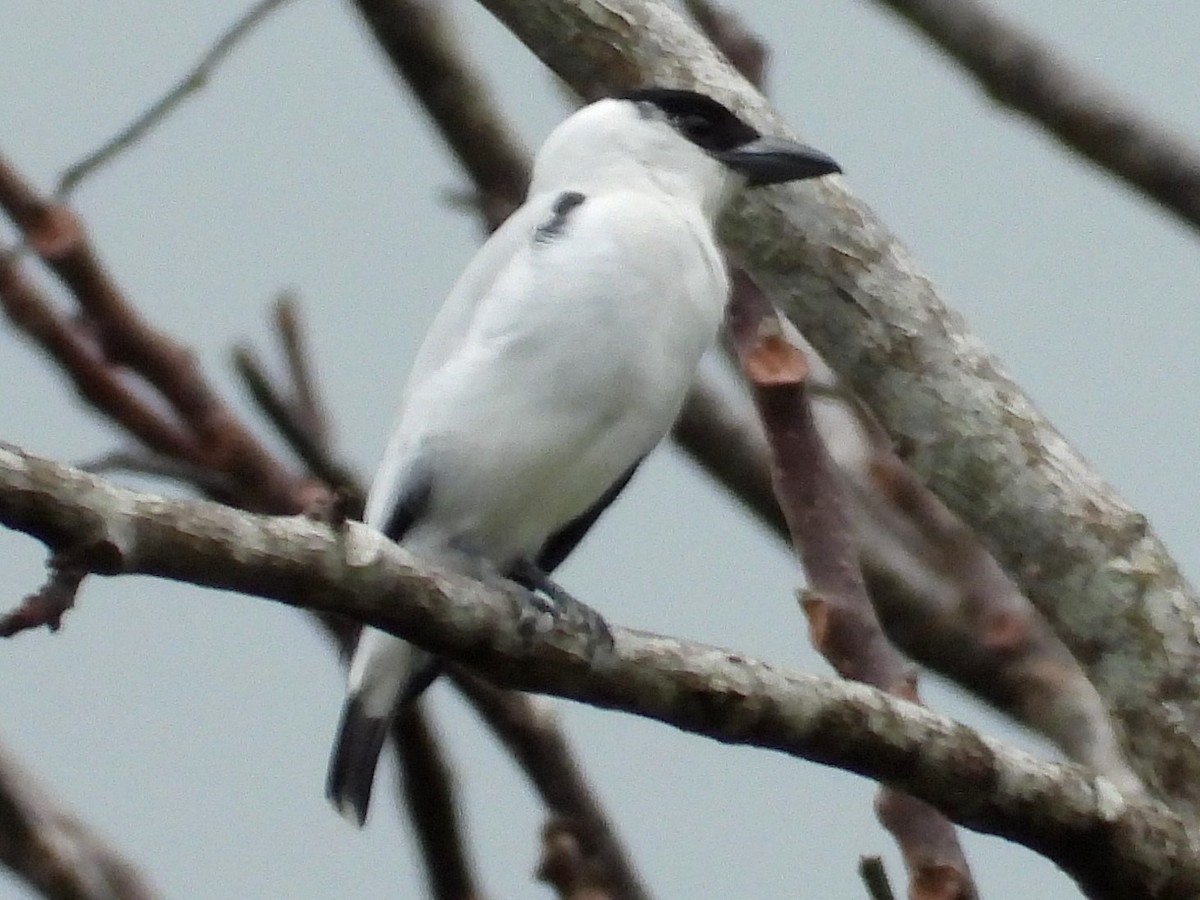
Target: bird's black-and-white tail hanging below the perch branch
{"x":386,"y":673}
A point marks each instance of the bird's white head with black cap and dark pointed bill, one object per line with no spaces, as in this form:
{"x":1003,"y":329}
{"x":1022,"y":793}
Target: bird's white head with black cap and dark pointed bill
{"x":685,"y":141}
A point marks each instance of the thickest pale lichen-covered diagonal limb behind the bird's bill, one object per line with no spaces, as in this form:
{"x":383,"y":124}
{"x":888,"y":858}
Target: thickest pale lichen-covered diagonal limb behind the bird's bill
{"x":1085,"y":559}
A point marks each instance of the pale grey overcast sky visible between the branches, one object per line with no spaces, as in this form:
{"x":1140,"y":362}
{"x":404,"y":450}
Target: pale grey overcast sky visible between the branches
{"x":194,"y":728}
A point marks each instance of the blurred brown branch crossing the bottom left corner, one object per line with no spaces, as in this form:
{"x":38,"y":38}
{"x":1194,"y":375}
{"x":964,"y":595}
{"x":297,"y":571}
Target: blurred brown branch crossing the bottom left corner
{"x":53,"y":851}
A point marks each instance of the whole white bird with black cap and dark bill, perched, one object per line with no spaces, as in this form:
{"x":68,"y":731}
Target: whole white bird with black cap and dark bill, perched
{"x":560,"y":359}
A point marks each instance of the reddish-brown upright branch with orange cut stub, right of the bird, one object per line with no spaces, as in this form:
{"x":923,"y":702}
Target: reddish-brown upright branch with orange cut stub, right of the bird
{"x":843,"y":623}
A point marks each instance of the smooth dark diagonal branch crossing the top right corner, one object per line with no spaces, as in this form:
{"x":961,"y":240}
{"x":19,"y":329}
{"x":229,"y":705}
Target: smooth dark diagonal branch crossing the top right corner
{"x":1031,"y":77}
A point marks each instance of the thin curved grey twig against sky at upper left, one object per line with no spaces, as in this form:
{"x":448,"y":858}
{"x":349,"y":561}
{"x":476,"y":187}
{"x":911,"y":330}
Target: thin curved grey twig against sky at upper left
{"x":154,"y":116}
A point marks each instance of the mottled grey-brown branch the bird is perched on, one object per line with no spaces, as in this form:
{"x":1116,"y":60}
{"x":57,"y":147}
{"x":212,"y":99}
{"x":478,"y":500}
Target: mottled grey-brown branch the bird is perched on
{"x":1115,"y":847}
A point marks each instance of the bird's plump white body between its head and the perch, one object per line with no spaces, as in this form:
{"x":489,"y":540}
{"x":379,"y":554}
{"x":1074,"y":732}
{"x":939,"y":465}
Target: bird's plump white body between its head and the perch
{"x":561,"y":369}
